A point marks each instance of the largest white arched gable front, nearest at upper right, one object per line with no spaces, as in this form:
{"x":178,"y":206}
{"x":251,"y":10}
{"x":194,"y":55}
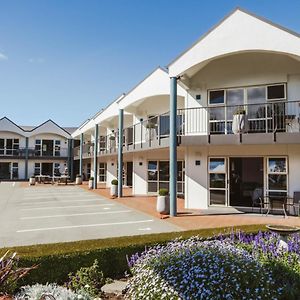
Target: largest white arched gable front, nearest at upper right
{"x":240,"y":32}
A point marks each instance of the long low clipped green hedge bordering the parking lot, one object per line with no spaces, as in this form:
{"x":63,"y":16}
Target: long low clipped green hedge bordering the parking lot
{"x":56,"y":261}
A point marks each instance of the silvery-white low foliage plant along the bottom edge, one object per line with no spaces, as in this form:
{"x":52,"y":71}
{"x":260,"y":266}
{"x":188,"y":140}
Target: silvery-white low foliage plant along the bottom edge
{"x":39,"y":292}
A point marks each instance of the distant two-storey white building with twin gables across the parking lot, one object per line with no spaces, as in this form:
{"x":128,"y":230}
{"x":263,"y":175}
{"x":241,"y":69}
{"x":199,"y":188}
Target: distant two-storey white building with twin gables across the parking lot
{"x":26,"y":150}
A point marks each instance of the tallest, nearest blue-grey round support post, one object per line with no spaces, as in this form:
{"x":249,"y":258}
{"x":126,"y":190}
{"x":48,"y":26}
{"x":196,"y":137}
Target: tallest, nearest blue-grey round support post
{"x":173,"y":147}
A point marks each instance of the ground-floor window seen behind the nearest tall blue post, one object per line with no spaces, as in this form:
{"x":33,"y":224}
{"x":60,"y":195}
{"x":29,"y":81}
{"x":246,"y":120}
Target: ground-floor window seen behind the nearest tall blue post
{"x":158,"y":176}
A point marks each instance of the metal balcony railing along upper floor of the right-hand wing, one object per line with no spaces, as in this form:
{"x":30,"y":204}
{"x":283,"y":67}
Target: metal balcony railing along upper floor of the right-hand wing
{"x":270,"y":117}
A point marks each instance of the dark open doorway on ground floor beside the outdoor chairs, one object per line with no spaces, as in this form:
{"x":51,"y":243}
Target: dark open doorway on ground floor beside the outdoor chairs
{"x":246,"y":180}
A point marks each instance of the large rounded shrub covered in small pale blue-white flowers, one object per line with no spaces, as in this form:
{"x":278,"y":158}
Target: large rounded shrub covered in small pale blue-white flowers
{"x":195,"y":269}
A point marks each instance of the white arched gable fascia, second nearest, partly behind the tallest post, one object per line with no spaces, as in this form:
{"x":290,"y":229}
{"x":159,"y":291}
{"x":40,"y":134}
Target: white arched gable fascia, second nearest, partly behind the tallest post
{"x":156,"y":84}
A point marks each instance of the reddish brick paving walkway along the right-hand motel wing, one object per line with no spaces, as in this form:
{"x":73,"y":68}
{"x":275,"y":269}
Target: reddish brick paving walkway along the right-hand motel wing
{"x":194,"y":219}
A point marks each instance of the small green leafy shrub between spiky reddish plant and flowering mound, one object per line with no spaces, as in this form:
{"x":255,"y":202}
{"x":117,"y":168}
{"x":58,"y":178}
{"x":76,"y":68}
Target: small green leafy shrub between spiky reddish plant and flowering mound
{"x":89,"y":279}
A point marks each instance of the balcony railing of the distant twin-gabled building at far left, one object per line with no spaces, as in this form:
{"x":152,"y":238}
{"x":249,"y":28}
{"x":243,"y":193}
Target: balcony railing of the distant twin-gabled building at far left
{"x":32,"y":152}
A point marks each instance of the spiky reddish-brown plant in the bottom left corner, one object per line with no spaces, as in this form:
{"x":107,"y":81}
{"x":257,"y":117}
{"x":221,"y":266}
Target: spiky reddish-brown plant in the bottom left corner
{"x":10,"y":273}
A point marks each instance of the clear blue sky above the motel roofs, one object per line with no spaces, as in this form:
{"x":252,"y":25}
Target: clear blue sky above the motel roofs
{"x":65,"y":60}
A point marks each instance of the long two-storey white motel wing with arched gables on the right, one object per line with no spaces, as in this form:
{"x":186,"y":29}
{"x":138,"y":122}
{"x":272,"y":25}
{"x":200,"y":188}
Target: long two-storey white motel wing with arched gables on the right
{"x":218,"y":127}
